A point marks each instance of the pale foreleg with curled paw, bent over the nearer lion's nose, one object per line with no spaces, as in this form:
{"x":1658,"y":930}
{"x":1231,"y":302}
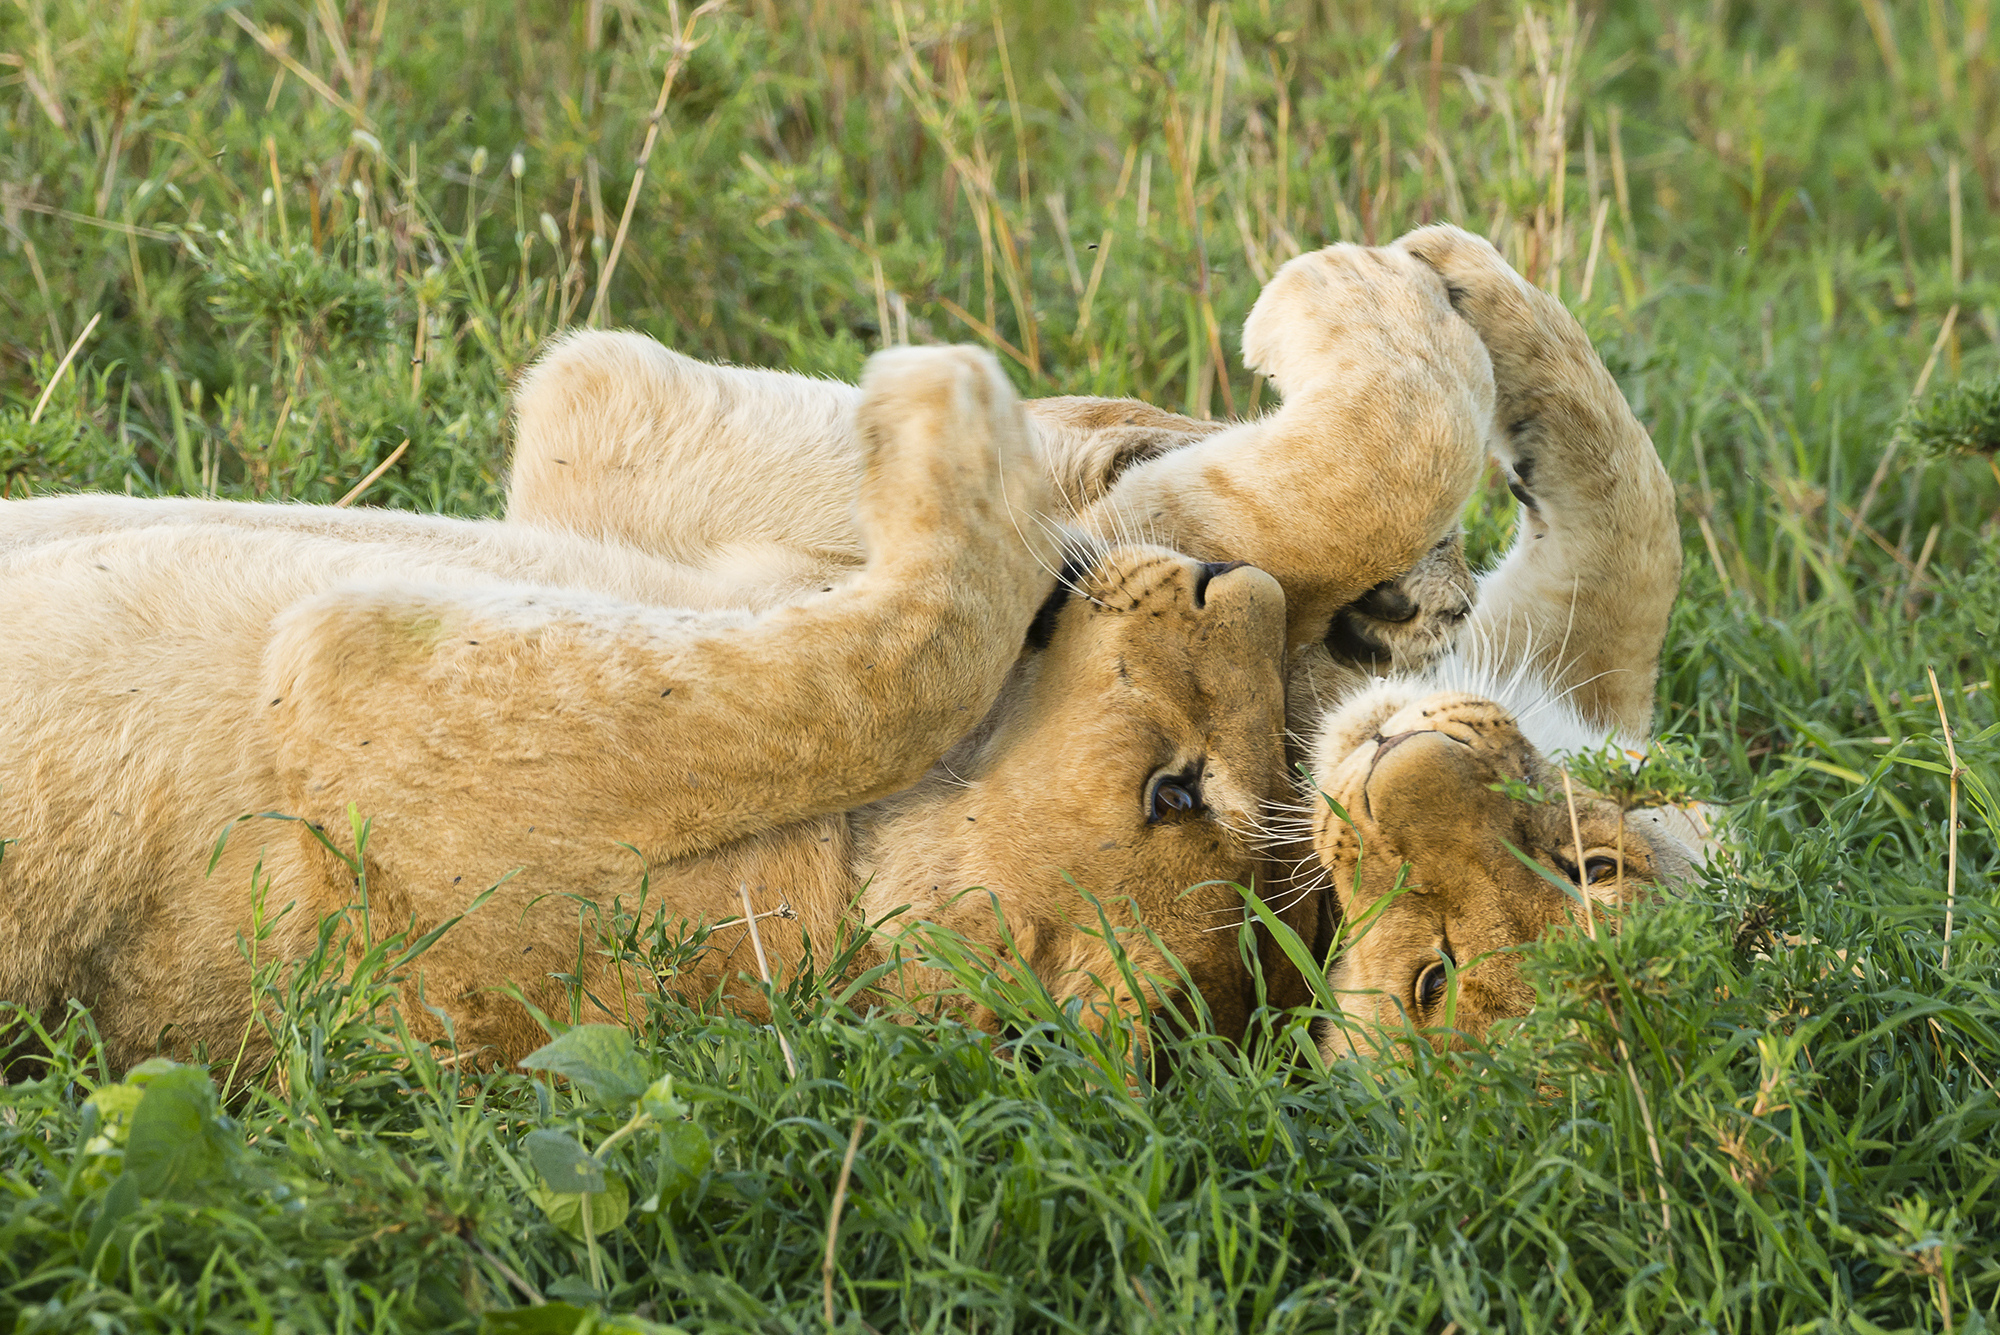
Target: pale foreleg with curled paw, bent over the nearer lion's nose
{"x":1367,"y":465}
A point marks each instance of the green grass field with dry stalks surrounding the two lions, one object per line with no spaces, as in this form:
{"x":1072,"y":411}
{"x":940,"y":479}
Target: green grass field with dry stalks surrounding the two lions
{"x":281,"y":239}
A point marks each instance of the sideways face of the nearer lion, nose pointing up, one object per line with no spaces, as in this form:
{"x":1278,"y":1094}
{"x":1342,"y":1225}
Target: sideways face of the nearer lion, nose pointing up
{"x":1133,"y":756}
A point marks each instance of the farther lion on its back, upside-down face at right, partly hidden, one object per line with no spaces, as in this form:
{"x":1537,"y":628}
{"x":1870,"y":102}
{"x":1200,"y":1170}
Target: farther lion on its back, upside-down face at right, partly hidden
{"x":629,"y":441}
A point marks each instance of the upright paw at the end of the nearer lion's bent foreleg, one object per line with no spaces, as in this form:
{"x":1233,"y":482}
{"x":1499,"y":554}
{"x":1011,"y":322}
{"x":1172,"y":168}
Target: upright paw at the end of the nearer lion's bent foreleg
{"x":949,"y":459}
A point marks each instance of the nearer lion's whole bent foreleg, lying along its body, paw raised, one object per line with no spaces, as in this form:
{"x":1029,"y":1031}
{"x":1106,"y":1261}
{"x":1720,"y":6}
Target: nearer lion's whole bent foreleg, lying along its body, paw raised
{"x":675,"y":730}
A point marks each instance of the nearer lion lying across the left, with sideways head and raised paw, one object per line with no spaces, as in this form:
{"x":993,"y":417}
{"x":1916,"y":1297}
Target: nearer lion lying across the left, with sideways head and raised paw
{"x":519,"y":706}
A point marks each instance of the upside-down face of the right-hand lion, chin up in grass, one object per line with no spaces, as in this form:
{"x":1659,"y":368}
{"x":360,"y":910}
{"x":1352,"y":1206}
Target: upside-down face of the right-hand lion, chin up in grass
{"x":1425,"y":868}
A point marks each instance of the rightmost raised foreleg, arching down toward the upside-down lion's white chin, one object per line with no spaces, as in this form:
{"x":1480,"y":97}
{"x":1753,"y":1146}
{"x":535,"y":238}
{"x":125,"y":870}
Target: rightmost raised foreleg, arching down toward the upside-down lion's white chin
{"x":1585,"y":595}
